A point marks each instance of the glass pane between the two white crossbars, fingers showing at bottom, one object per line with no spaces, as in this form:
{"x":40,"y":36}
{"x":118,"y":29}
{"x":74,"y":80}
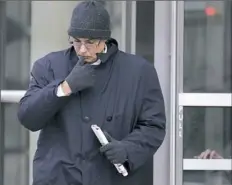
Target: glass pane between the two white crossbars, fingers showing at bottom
{"x":207,"y":132}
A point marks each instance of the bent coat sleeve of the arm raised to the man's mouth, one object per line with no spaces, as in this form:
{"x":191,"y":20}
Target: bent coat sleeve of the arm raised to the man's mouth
{"x":40,"y":103}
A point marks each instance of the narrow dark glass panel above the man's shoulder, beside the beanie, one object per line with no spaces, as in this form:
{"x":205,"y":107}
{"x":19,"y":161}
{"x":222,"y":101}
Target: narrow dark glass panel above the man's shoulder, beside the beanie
{"x":145,"y":29}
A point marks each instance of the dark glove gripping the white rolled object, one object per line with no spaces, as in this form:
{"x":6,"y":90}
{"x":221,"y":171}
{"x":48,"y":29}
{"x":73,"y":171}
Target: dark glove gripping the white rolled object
{"x":115,"y":150}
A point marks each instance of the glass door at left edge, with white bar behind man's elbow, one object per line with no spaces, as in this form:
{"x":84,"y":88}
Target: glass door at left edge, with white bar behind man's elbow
{"x":15,"y":68}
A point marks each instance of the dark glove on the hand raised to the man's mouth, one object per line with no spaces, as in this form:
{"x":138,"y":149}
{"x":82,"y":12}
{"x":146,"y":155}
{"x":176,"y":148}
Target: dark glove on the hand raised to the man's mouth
{"x":81,"y":76}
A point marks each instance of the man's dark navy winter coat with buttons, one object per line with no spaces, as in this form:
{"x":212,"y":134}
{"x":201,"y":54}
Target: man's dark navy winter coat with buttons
{"x":126,"y":101}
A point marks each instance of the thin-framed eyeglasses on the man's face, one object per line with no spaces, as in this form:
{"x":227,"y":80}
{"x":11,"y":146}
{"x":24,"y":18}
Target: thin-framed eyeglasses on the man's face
{"x":89,"y":44}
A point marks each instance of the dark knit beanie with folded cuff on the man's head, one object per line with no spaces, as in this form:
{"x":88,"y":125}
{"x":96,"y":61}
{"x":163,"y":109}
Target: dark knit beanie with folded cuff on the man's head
{"x":90,"y":20}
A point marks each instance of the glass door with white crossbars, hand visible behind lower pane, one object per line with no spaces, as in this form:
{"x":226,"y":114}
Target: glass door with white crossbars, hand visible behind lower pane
{"x":204,"y":104}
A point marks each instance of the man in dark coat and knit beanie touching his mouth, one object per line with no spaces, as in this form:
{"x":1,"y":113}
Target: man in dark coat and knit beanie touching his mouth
{"x":93,"y":83}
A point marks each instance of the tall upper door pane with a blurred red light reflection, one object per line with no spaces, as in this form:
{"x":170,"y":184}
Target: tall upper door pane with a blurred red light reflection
{"x":207,"y":46}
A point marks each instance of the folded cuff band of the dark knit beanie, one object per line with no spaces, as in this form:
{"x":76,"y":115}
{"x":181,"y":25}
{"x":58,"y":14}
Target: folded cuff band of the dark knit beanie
{"x":89,"y":33}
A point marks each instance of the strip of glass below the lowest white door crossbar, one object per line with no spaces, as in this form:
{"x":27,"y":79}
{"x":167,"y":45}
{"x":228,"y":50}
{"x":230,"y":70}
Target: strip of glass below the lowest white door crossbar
{"x":207,"y":178}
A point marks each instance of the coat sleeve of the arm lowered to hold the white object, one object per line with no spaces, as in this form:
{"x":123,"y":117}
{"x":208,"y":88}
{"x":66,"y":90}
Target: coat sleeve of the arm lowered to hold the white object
{"x":149,"y":130}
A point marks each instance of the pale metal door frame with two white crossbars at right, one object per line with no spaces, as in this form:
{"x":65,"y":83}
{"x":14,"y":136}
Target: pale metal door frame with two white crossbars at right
{"x":179,"y":100}
